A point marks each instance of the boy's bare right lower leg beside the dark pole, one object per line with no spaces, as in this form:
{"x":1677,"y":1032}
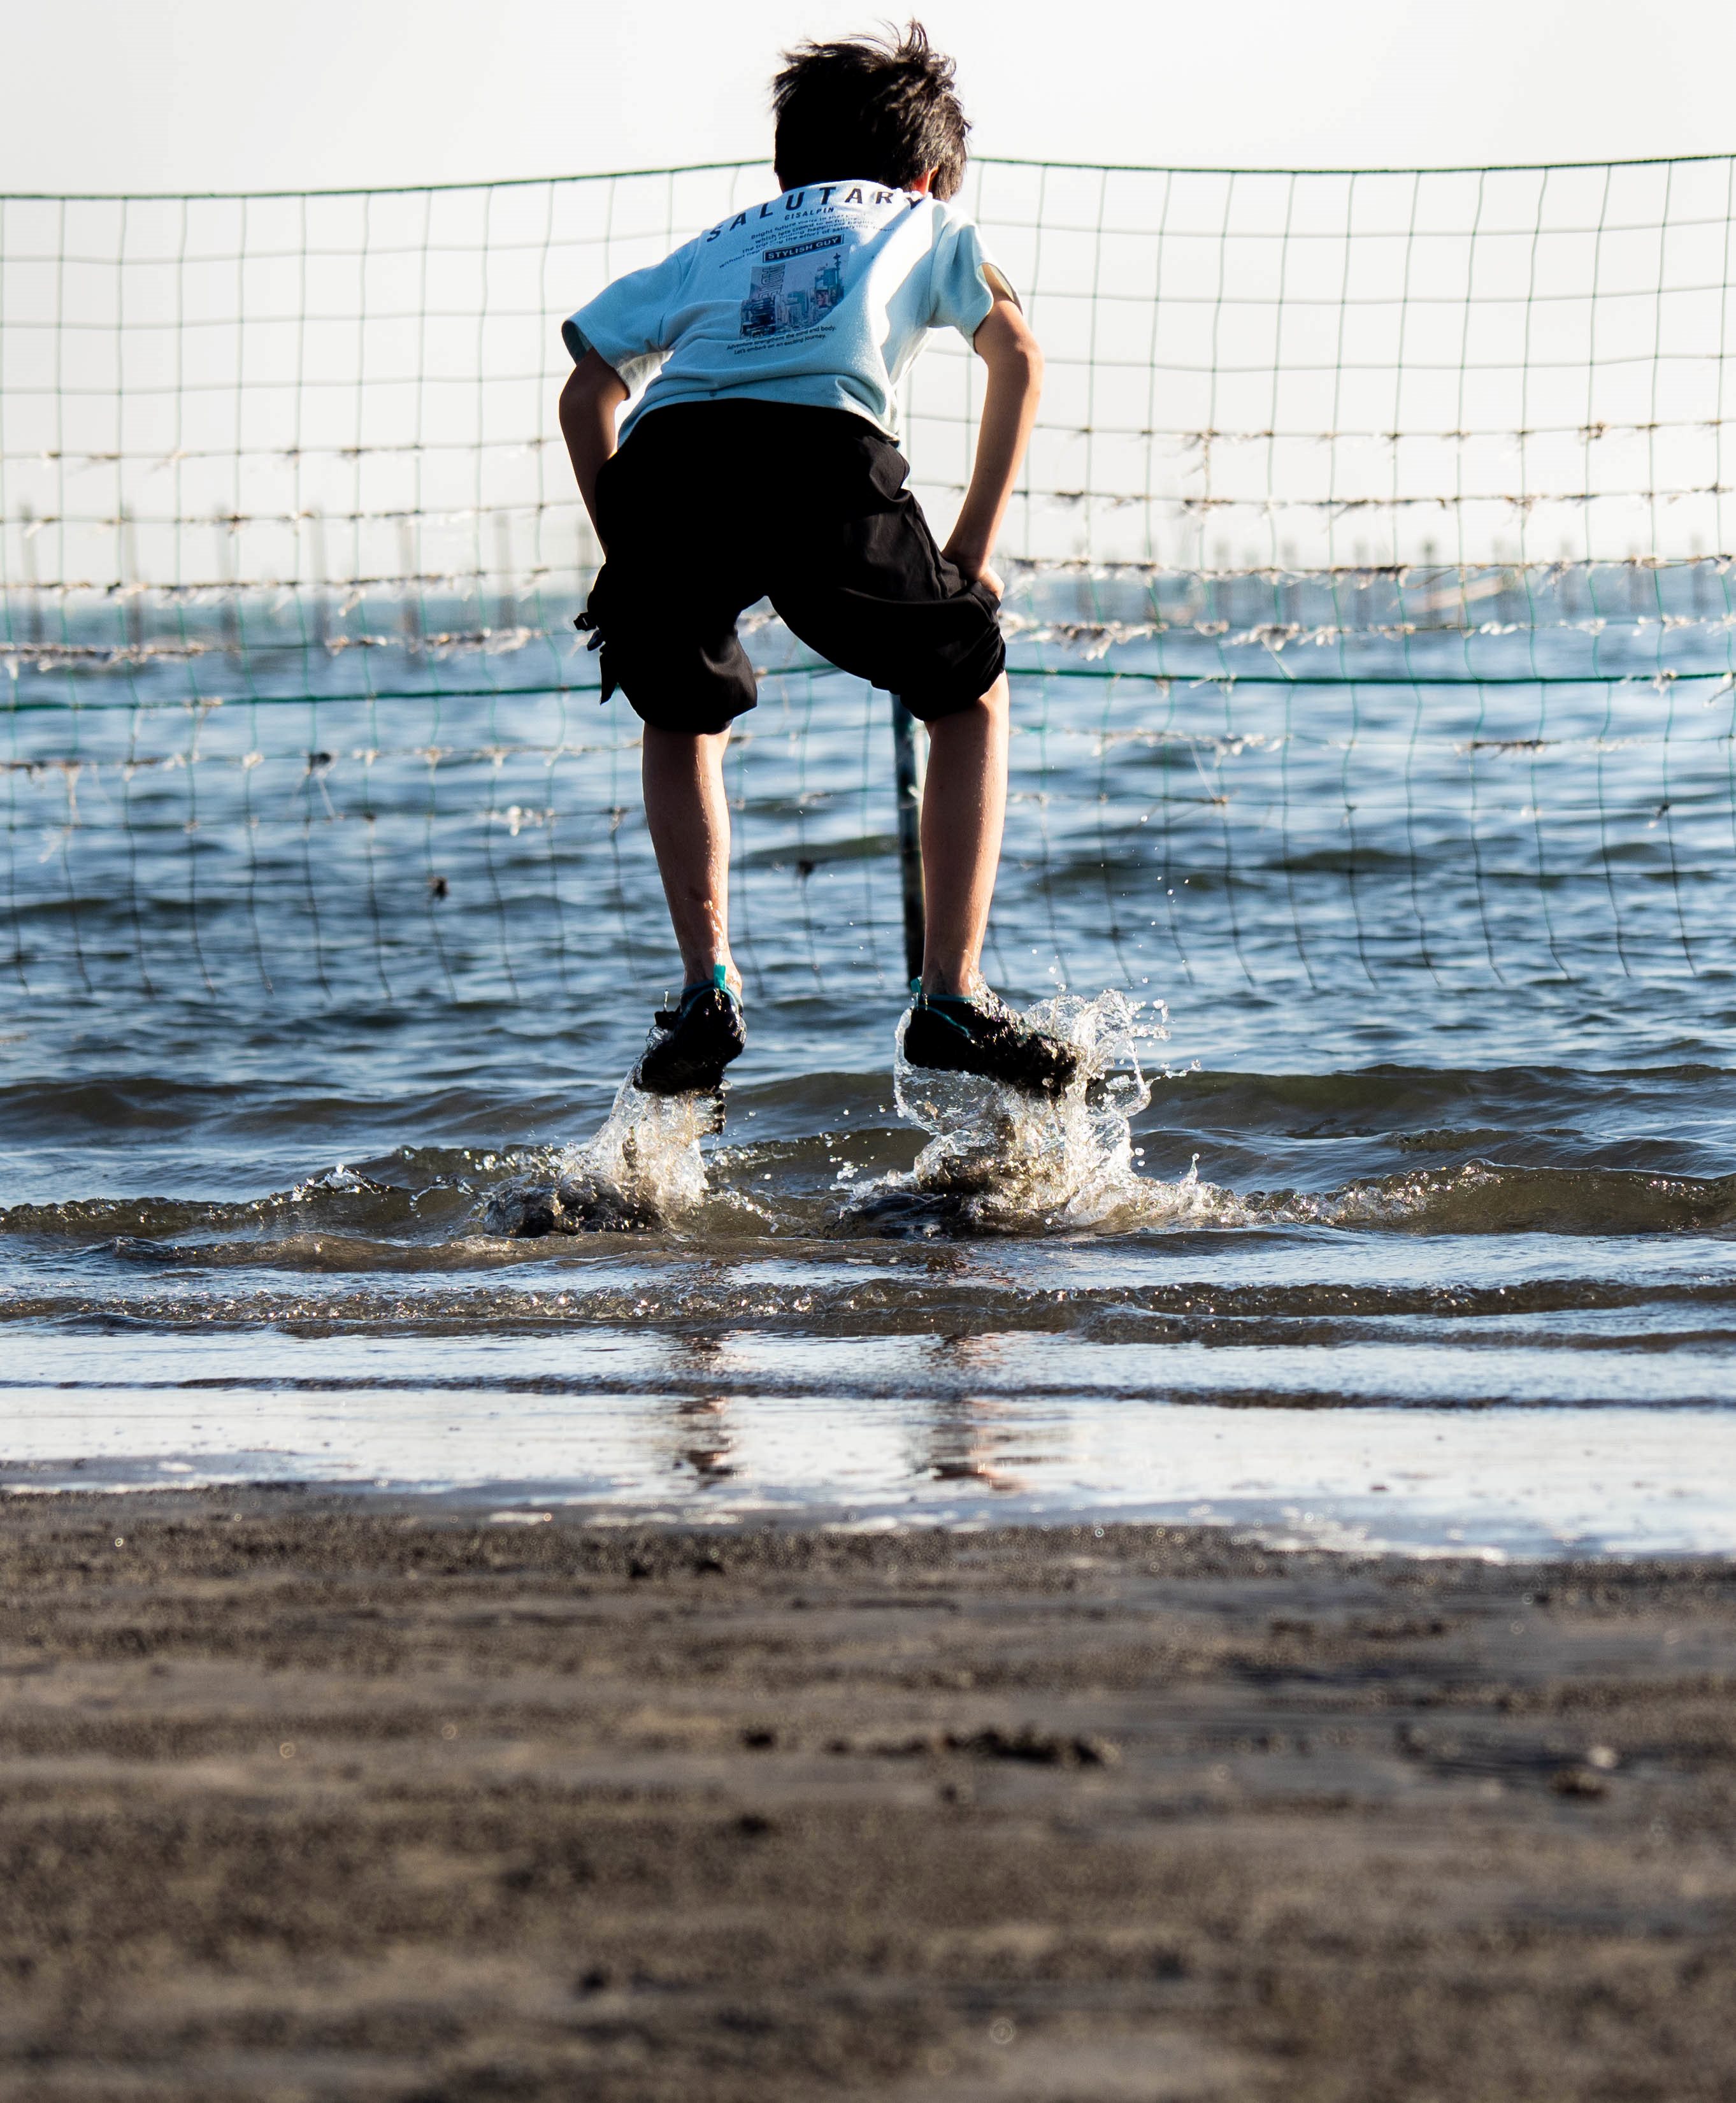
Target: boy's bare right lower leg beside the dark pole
{"x":964,"y":811}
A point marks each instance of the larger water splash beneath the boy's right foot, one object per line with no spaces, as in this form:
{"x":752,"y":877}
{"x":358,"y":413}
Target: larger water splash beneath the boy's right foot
{"x":1006,"y":1162}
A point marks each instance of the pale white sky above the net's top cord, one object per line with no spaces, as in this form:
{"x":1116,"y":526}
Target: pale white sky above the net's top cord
{"x":325,"y":94}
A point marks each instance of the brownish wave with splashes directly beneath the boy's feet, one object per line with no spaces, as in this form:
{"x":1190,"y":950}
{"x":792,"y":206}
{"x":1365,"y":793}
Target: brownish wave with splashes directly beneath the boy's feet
{"x":991,"y":1164}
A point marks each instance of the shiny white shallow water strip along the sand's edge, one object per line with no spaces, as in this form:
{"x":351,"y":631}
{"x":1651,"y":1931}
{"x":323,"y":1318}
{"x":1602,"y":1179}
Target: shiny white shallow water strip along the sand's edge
{"x":732,"y":1444}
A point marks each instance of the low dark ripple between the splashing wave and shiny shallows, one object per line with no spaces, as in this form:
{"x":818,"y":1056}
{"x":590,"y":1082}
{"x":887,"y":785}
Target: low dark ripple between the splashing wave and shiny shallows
{"x":903,"y":1296}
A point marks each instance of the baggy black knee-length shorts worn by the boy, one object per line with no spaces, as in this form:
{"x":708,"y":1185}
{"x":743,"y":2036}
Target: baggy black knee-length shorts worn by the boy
{"x":714,"y":506}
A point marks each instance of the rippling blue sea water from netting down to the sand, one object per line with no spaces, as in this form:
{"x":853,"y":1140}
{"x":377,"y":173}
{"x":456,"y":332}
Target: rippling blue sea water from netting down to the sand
{"x":1397,"y":1210}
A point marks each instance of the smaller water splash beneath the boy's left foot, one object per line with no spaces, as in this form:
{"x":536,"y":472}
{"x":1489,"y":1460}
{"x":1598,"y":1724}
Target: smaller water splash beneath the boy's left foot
{"x":640,"y":1172}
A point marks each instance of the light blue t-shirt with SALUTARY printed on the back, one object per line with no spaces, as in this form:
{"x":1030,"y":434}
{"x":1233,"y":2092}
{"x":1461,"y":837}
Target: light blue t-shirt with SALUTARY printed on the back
{"x":821,"y":295}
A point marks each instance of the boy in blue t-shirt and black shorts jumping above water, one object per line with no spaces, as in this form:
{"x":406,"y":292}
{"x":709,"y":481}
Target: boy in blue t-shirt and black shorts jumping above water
{"x":762,"y":462}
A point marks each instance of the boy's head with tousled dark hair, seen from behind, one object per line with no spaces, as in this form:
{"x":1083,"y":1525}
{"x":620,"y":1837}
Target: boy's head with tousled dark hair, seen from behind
{"x":869,"y":106}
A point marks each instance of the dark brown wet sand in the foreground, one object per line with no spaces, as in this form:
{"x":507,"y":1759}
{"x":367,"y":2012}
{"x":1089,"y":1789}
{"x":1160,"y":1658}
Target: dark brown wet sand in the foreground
{"x":310,"y":1797}
